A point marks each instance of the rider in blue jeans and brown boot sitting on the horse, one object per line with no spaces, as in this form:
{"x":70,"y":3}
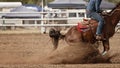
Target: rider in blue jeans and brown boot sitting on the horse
{"x":93,"y":10}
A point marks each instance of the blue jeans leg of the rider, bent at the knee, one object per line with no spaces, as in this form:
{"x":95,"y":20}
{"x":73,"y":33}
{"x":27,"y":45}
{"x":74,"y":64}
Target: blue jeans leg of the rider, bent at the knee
{"x":100,"y":20}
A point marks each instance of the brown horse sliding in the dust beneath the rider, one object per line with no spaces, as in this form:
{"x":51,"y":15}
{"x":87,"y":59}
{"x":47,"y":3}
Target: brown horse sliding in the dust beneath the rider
{"x":87,"y":36}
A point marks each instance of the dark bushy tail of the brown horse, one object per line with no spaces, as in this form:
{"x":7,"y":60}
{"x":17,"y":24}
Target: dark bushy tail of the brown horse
{"x":55,"y":35}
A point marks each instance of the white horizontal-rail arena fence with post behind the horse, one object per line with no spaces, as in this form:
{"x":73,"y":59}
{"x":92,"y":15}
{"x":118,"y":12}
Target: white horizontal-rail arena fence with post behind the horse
{"x":46,"y":19}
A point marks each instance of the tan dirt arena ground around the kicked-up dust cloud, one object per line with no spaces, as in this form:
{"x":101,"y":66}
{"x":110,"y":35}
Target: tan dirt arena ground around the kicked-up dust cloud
{"x":23,"y":50}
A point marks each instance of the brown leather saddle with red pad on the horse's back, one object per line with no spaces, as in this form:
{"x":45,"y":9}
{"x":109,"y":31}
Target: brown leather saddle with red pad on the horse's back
{"x":88,"y":28}
